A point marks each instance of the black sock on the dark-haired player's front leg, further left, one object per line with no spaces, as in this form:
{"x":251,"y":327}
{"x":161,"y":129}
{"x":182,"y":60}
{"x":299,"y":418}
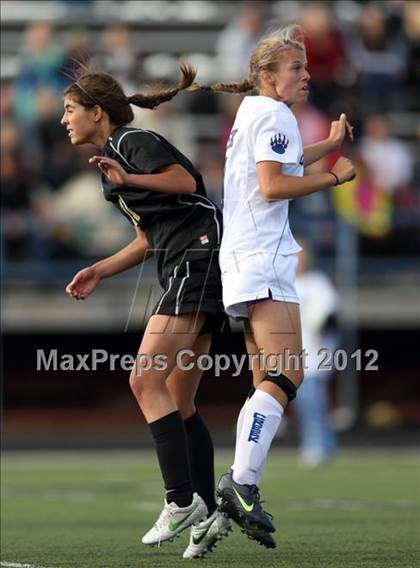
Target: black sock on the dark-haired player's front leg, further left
{"x":172,"y":451}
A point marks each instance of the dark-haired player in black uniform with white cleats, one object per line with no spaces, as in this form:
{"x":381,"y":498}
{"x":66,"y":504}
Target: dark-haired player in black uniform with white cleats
{"x":161,"y":193}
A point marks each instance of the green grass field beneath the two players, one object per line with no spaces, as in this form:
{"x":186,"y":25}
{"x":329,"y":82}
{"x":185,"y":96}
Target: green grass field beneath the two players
{"x":89,"y":511}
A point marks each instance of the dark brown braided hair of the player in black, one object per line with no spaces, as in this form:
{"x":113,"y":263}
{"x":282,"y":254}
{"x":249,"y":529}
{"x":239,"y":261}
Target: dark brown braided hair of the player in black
{"x":91,"y":88}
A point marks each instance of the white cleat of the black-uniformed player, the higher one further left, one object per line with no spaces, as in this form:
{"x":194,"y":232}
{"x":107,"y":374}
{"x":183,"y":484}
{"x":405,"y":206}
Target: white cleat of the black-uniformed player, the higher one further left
{"x":174,"y":519}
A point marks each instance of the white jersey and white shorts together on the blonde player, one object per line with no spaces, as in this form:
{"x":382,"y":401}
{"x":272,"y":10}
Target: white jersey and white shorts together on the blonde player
{"x":257,"y":254}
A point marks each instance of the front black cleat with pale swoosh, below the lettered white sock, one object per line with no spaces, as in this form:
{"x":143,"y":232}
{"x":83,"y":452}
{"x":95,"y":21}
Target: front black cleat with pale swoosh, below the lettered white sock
{"x":242,"y":504}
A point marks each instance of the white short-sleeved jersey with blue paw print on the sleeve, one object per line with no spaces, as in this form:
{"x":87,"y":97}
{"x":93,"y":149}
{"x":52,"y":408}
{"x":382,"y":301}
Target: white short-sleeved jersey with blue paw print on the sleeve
{"x":264,"y":130}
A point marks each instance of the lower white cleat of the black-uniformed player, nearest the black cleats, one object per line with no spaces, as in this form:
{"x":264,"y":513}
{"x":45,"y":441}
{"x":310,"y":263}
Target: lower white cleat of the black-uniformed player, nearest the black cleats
{"x":204,"y":535}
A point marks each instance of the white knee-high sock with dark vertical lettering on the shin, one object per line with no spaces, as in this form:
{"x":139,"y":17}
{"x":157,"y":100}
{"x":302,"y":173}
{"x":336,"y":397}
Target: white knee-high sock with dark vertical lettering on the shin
{"x":261,"y":419}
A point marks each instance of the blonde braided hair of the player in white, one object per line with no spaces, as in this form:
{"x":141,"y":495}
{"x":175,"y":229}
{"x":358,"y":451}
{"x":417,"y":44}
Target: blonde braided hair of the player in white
{"x":264,"y":57}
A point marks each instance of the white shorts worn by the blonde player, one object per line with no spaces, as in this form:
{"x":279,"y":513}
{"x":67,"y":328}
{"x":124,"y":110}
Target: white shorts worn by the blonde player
{"x":257,"y":277}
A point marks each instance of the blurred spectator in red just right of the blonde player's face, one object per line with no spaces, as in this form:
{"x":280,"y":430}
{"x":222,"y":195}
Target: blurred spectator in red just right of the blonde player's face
{"x":325,"y":54}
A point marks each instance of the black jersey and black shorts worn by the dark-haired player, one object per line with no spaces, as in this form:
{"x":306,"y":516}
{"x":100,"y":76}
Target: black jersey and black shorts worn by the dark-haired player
{"x":184,"y":230}
